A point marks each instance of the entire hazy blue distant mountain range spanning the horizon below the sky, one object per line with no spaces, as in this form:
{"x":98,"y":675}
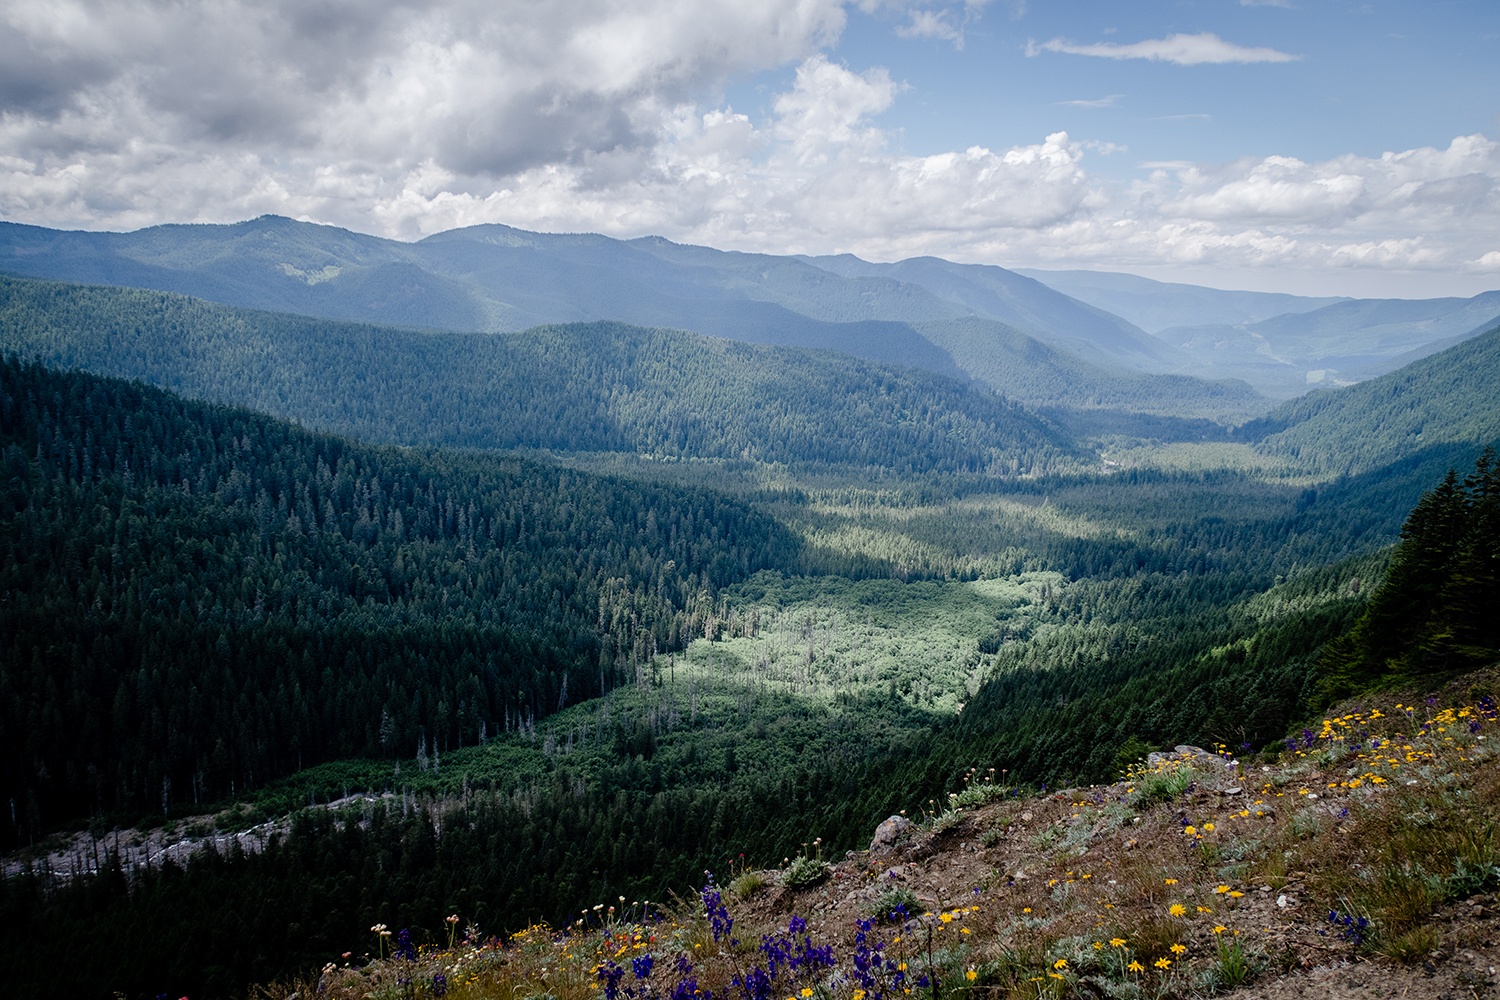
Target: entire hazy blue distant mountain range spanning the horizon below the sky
{"x":1070,"y":341}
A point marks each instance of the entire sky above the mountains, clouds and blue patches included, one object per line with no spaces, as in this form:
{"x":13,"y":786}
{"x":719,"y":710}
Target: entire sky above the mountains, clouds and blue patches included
{"x":1304,"y":146}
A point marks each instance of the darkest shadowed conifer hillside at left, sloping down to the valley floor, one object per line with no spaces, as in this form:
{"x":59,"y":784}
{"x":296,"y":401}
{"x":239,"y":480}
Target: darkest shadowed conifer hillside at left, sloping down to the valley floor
{"x":197,"y":599}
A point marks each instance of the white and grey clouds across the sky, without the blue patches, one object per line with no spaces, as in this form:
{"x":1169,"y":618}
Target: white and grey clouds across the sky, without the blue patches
{"x":407,"y":119}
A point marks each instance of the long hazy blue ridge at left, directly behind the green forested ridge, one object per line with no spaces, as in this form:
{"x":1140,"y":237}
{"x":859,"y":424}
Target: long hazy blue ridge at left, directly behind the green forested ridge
{"x":499,"y":280}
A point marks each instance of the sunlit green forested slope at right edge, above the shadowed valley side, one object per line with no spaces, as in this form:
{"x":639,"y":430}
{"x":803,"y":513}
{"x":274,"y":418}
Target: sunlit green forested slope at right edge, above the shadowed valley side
{"x":1445,"y":398}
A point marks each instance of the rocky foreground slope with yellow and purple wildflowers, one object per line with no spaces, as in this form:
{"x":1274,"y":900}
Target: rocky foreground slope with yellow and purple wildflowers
{"x":1357,"y":860}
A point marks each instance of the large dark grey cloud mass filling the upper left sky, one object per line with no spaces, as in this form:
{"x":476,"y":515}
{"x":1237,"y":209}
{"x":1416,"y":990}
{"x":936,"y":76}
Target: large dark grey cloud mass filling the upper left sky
{"x":485,"y":89}
